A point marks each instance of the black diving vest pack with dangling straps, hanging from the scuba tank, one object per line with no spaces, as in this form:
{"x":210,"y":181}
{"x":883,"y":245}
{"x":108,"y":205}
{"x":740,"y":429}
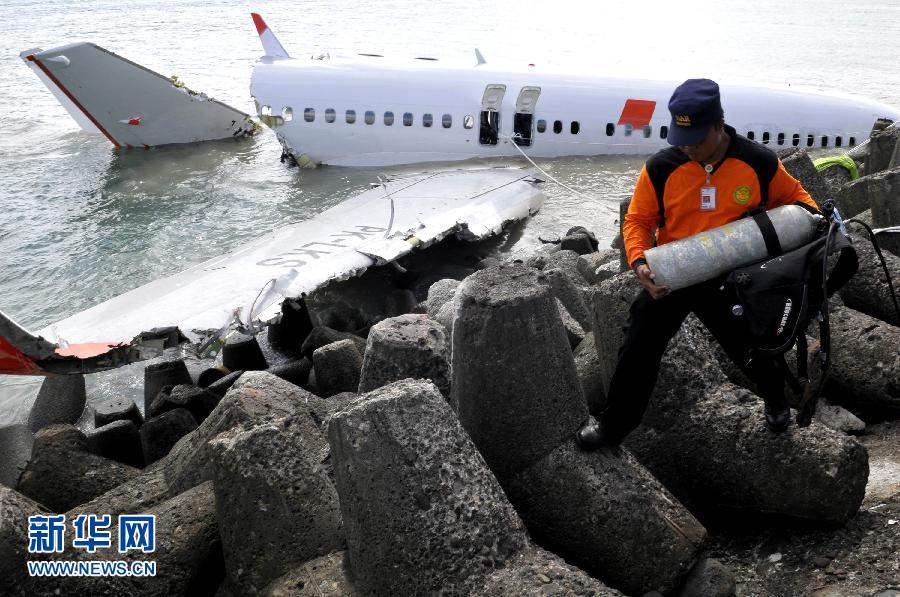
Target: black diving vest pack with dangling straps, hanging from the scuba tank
{"x":778,"y":297}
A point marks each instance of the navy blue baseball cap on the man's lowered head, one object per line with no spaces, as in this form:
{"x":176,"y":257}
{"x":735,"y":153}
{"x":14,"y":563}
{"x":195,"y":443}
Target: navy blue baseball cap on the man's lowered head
{"x":695,"y":107}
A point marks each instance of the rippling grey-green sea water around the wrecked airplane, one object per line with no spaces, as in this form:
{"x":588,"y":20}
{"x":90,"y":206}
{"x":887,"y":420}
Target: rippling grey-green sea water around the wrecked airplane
{"x":81,"y":223}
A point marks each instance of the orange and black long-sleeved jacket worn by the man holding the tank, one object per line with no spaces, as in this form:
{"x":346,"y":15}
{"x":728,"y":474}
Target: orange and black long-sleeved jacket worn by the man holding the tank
{"x":667,"y":195}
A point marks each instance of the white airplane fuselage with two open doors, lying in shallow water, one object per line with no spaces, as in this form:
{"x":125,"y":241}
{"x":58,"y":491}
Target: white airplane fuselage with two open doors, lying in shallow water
{"x":370,"y":112}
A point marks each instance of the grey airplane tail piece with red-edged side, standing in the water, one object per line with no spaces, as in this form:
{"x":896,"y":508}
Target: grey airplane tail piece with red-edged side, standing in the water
{"x":130,"y":105}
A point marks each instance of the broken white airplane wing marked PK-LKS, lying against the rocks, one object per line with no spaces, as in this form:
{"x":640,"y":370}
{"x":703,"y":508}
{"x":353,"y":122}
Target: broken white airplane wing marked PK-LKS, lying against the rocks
{"x":248,"y":284}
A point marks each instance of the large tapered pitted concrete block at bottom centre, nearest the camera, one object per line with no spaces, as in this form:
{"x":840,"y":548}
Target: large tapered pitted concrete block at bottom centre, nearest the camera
{"x":435,"y":522}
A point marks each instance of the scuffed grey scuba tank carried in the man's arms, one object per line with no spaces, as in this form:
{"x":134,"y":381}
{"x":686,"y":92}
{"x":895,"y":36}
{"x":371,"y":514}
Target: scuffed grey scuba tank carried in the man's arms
{"x":714,"y":252}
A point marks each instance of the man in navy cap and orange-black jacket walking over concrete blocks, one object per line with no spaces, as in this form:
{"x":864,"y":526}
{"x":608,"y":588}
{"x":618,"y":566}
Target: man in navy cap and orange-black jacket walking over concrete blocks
{"x":710,"y":177}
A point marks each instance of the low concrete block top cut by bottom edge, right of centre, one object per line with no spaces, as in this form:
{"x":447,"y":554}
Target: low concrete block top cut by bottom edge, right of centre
{"x":534,"y":572}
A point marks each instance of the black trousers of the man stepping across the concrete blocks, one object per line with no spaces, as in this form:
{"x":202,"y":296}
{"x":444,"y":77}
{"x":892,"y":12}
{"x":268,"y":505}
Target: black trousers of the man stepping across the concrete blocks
{"x":651,"y":324}
